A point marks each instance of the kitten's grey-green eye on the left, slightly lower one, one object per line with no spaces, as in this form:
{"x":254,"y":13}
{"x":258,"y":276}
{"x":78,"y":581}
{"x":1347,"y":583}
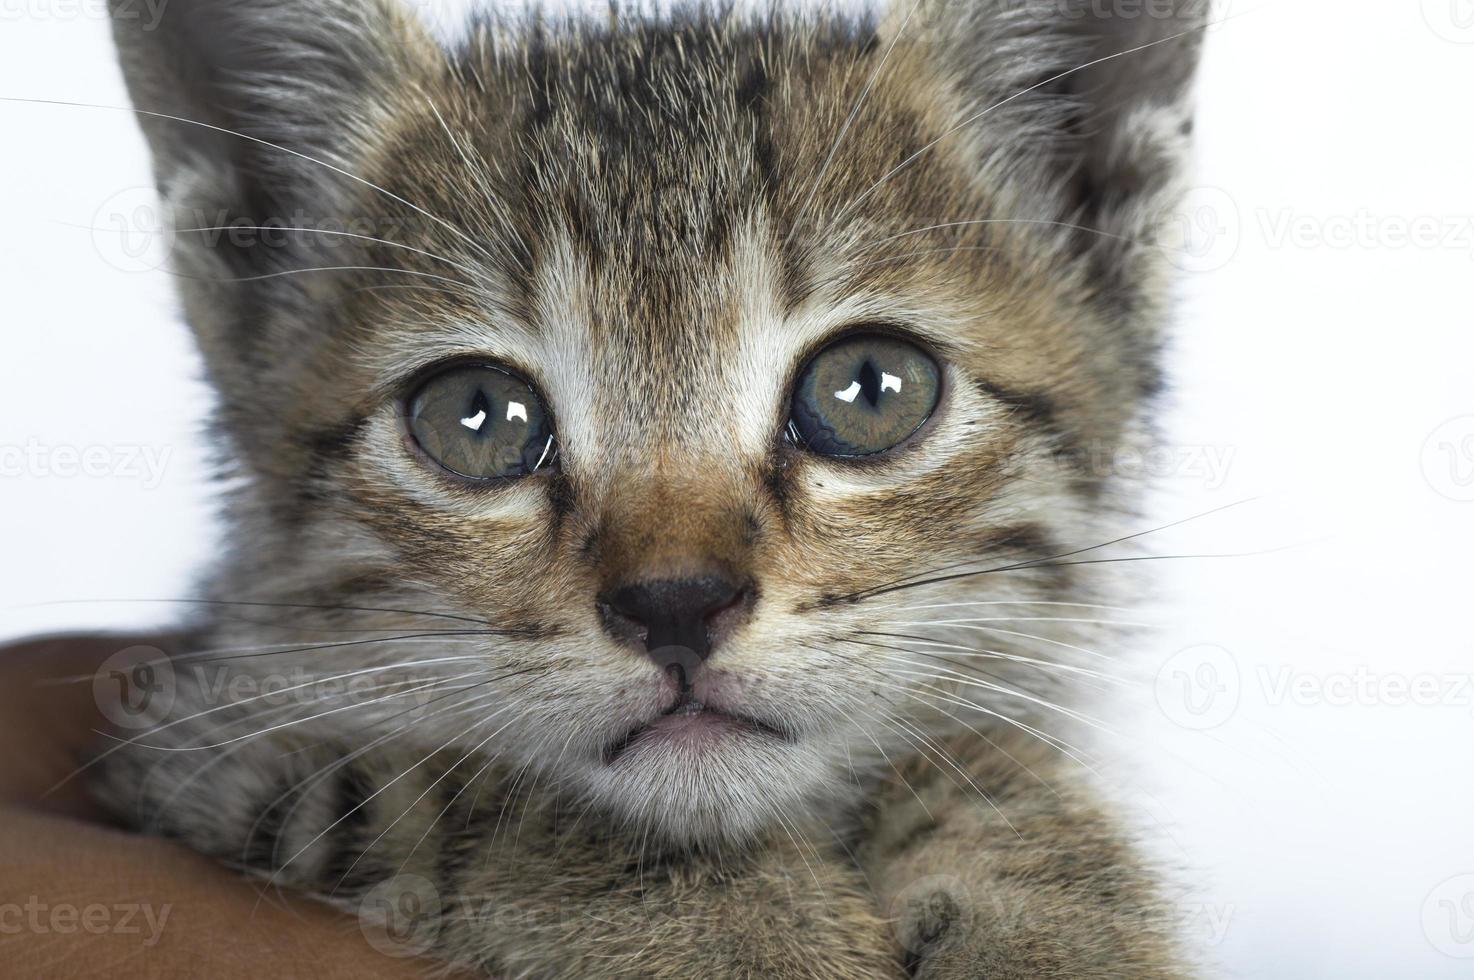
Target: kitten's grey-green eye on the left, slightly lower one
{"x":483,"y":424}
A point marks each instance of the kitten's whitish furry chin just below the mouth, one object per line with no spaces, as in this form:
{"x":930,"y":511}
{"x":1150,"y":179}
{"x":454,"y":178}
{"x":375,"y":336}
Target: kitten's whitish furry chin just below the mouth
{"x":710,"y":780}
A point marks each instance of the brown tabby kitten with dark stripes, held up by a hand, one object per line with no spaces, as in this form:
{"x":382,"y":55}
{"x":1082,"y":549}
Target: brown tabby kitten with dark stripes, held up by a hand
{"x":657,"y":447}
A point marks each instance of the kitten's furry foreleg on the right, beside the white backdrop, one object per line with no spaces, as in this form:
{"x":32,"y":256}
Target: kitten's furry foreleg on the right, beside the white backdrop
{"x":1037,"y":885}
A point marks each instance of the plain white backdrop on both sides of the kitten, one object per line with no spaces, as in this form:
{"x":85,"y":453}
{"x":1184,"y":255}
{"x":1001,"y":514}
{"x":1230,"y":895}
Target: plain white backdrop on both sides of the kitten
{"x":1317,"y":807}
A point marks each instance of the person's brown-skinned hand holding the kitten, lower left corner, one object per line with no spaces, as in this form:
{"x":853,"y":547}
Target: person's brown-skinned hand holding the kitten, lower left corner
{"x":69,"y":879}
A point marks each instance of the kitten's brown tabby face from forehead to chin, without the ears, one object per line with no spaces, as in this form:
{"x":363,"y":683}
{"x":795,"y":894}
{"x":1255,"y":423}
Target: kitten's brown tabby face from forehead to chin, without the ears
{"x":617,"y":263}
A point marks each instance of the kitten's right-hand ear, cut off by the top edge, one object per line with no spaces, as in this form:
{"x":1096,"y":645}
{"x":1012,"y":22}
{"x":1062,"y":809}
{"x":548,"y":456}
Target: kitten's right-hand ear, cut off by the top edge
{"x":1102,"y":94}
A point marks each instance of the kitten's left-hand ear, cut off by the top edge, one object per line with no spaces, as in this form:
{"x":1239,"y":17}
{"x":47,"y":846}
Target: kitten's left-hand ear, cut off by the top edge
{"x":220,"y":82}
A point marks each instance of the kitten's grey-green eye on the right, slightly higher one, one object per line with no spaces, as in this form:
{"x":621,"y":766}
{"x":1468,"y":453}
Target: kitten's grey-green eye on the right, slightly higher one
{"x":865,"y":396}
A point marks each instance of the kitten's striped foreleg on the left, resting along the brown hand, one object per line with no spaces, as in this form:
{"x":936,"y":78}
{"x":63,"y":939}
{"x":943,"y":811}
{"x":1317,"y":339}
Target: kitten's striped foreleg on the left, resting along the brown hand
{"x":496,"y":881}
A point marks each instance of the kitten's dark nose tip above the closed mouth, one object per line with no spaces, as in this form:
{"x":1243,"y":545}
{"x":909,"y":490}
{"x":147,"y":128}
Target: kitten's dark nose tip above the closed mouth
{"x":677,"y":621}
